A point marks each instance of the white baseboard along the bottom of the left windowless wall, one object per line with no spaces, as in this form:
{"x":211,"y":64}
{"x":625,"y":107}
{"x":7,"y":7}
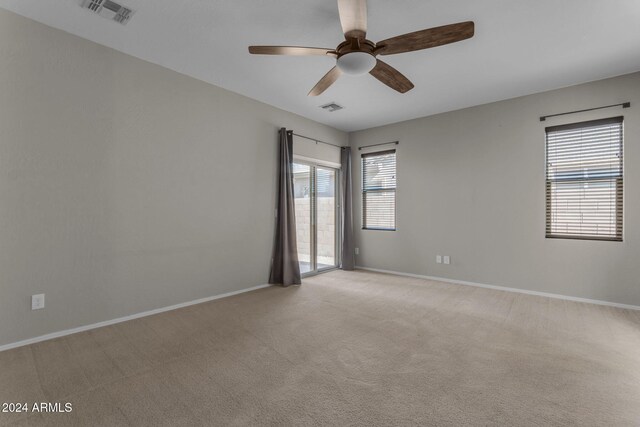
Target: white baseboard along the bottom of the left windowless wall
{"x":123,"y":319}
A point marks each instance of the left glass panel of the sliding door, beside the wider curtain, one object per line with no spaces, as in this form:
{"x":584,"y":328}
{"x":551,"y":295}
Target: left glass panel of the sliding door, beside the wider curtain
{"x":303,"y":190}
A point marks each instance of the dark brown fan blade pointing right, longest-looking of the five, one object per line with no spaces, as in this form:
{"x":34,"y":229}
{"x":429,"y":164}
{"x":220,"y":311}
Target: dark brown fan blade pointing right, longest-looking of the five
{"x":425,"y":39}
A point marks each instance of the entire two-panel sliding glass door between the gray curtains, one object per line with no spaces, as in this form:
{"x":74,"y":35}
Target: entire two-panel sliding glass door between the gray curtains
{"x":316,"y":199}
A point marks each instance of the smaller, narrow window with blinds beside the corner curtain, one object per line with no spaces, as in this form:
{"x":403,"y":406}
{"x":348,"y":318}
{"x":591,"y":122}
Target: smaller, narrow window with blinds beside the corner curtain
{"x":379,"y":190}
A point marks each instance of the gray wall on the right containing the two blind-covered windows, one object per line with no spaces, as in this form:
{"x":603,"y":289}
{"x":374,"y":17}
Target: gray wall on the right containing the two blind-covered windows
{"x":471,"y":185}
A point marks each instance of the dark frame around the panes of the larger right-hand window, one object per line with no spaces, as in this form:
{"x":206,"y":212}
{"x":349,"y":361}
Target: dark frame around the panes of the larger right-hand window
{"x":618,"y":191}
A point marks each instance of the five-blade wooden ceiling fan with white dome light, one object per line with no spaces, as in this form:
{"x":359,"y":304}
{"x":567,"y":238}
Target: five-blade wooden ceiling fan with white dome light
{"x":357,"y":55}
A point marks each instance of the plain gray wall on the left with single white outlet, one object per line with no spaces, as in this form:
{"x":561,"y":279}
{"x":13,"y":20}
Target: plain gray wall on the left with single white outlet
{"x":124,"y":186}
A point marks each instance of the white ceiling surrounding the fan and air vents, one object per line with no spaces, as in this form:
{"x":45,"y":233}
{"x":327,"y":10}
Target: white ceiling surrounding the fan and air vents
{"x":520,"y":47}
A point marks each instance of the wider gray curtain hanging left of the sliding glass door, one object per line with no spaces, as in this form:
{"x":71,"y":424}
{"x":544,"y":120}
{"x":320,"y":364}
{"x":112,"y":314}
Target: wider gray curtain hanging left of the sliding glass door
{"x":285,"y":270}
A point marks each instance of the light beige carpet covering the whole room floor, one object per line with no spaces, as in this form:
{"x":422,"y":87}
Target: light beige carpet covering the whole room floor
{"x":345,"y":348}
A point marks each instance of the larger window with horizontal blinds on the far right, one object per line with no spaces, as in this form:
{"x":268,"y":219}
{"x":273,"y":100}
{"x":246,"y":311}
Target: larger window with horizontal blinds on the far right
{"x":584,"y":180}
